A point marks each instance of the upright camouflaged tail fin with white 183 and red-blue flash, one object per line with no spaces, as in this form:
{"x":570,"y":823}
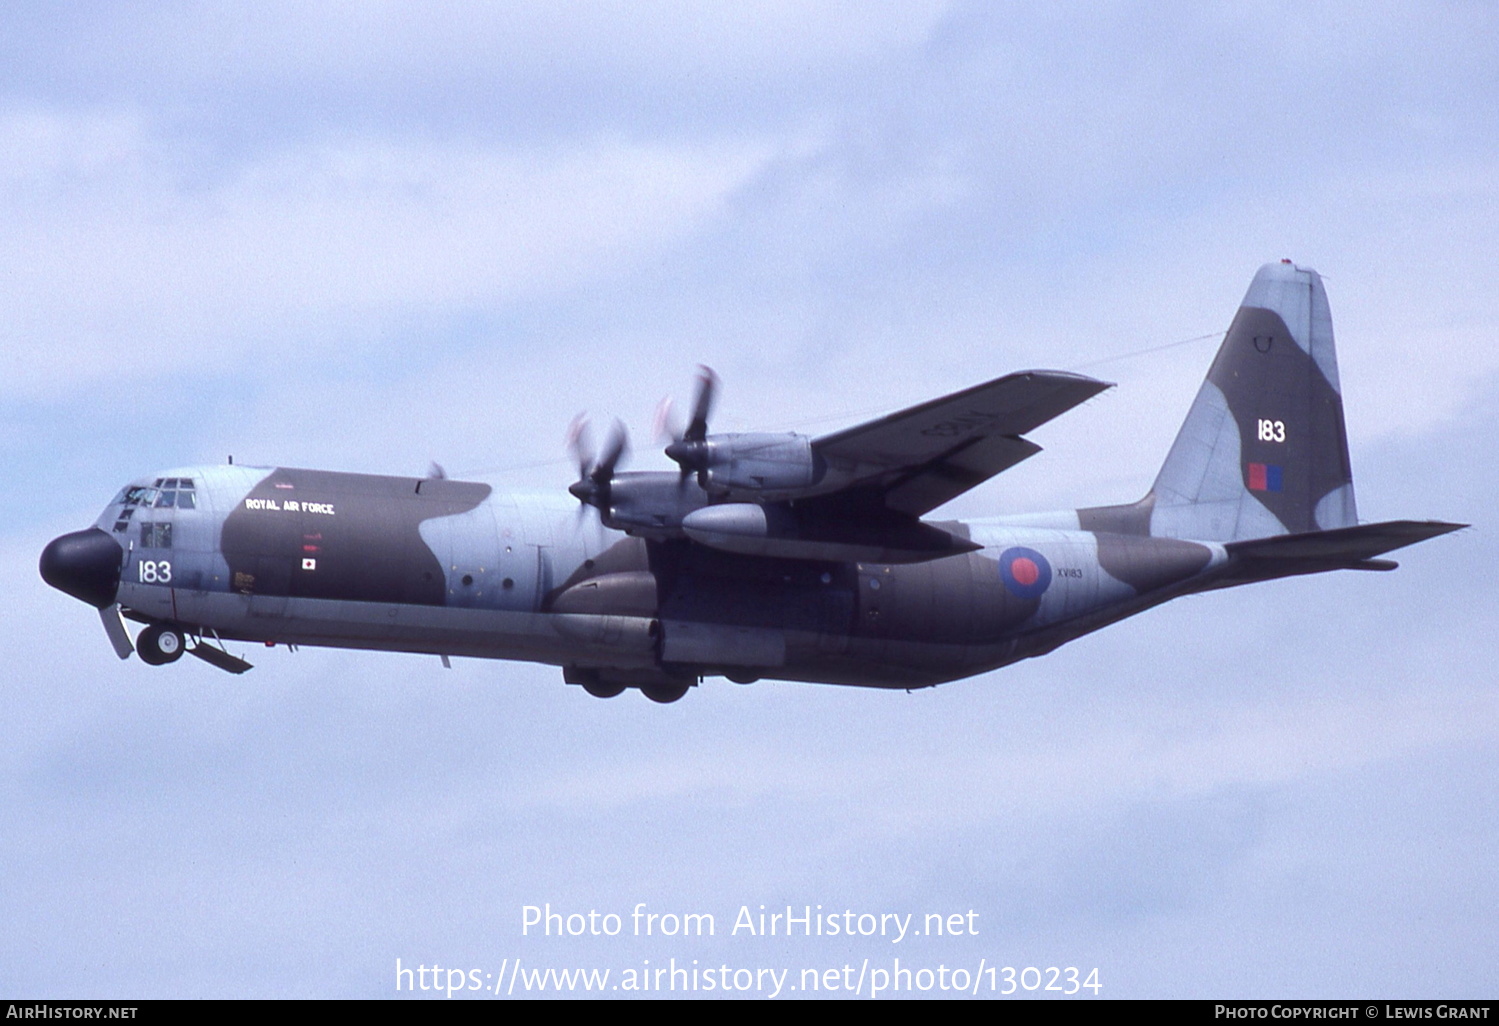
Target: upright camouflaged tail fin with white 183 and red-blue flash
{"x":1263,"y":451}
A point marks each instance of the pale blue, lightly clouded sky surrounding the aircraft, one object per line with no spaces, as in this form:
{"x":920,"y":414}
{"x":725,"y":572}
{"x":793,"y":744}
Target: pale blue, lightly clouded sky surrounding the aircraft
{"x":368,"y":236}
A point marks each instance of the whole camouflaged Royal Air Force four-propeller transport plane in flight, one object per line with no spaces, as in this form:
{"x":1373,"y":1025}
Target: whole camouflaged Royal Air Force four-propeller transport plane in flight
{"x":764,"y":556}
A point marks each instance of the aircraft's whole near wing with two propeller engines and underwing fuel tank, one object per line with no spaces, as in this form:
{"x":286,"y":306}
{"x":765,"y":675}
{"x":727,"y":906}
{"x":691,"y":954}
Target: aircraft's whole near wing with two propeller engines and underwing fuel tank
{"x":858,"y":494}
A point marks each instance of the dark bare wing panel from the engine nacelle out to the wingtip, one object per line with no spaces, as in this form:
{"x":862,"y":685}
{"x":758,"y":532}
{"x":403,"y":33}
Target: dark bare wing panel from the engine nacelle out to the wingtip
{"x":926,"y":455}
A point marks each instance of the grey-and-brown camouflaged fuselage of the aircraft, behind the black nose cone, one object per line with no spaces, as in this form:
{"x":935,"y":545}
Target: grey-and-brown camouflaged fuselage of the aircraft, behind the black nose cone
{"x":452,"y":568}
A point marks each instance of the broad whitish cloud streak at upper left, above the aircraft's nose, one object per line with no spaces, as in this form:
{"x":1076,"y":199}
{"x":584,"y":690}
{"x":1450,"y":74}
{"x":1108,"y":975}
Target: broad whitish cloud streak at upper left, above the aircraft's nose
{"x":133,"y":269}
